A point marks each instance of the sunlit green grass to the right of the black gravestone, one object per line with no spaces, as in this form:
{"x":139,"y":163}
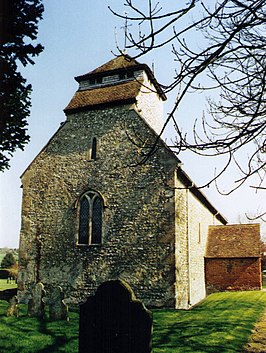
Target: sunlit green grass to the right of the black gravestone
{"x":222,"y":323}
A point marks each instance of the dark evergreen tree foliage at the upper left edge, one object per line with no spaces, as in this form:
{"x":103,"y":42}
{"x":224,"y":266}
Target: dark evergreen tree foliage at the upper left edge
{"x":18,"y":27}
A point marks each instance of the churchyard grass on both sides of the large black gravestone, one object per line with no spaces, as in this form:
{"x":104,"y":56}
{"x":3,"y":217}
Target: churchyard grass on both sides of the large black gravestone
{"x":222,"y":323}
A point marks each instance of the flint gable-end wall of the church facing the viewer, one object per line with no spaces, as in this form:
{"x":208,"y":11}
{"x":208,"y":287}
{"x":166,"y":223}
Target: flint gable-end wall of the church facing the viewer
{"x":138,"y":240}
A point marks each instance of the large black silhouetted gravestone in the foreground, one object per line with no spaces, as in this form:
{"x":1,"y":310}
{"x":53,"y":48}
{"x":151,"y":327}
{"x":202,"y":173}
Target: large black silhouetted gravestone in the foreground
{"x":113,"y":322}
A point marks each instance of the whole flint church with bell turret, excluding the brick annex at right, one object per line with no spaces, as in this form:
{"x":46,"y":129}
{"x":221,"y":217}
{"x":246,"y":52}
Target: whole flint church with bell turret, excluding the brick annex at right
{"x":92,"y":212}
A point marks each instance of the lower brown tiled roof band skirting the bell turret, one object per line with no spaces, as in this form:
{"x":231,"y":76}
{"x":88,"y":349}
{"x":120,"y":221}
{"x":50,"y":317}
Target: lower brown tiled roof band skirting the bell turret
{"x":125,"y":92}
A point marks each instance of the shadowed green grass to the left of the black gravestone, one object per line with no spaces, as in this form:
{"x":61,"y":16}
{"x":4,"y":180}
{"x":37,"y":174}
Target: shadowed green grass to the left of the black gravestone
{"x":30,"y":335}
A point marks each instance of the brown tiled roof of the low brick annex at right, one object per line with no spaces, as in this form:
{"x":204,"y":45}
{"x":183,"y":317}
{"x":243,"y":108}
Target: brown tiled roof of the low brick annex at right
{"x":233,"y":241}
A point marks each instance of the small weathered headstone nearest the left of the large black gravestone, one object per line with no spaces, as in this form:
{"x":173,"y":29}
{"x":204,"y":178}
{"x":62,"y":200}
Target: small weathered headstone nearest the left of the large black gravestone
{"x":58,"y":310}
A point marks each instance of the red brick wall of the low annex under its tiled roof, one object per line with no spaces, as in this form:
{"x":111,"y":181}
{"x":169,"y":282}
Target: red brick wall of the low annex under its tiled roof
{"x":233,"y":274}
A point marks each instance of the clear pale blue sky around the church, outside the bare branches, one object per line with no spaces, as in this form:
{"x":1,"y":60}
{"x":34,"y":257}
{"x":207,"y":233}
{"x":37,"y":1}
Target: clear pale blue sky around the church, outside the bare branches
{"x":78,"y":36}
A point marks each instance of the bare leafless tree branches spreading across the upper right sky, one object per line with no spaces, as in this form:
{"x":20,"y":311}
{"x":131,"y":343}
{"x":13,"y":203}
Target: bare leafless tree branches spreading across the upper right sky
{"x":219,"y":48}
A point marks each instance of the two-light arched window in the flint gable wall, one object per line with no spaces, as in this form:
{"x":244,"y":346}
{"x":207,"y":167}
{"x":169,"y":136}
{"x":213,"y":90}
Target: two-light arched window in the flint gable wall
{"x":90,"y":219}
